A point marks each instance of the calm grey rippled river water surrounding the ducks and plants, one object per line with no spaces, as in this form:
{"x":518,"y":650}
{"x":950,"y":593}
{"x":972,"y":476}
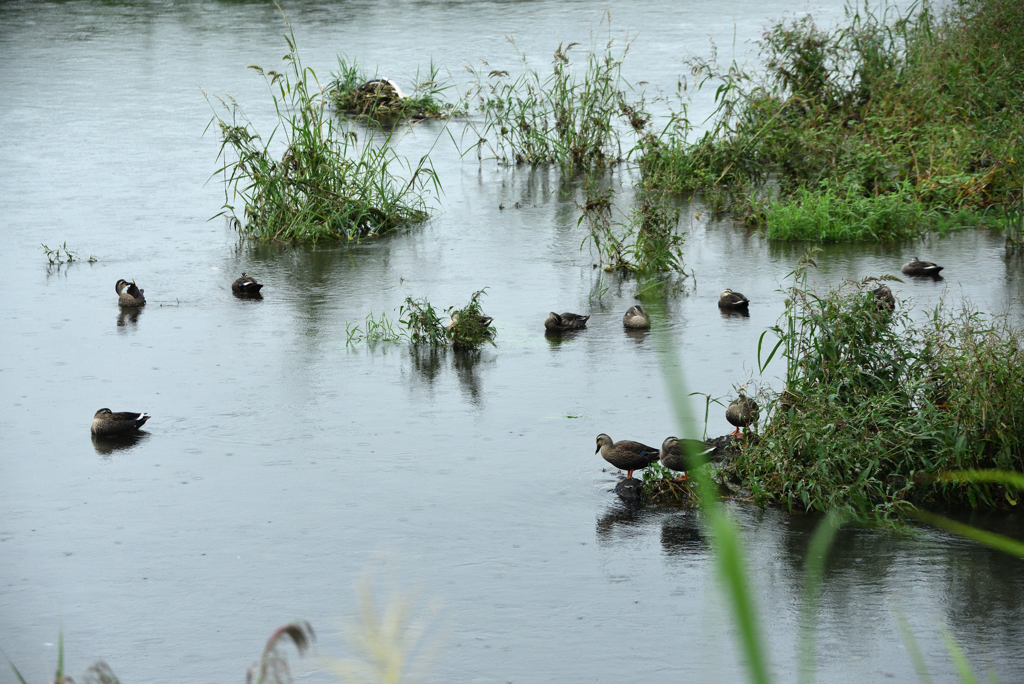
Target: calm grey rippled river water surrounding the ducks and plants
{"x":280,"y":464}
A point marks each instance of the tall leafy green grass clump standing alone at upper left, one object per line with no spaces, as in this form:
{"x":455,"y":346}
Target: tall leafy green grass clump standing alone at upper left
{"x":325,"y":187}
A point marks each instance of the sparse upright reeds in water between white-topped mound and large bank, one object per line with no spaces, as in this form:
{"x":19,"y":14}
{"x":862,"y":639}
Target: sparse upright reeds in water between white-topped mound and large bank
{"x":567,"y":118}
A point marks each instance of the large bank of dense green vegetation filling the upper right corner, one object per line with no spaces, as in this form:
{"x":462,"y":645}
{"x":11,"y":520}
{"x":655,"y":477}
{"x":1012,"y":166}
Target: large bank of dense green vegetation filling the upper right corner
{"x":916,"y":118}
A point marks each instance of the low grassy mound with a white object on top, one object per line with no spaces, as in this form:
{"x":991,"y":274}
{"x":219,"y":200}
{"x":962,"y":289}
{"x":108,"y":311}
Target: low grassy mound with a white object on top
{"x":352,"y":94}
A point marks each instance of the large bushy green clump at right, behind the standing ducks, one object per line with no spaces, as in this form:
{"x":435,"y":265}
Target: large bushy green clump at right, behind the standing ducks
{"x":876,"y":407}
